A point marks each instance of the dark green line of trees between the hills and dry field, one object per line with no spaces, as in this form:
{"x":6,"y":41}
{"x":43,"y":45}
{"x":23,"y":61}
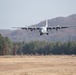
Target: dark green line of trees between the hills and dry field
{"x":7,"y":47}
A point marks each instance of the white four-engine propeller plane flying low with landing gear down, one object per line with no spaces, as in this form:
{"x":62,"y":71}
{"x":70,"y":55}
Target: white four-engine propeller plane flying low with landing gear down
{"x":43,"y":30}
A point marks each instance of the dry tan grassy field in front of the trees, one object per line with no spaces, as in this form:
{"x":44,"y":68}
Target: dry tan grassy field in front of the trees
{"x":38,"y":65}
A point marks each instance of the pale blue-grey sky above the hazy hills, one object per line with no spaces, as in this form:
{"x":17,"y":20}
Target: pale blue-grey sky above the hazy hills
{"x":17,"y":13}
